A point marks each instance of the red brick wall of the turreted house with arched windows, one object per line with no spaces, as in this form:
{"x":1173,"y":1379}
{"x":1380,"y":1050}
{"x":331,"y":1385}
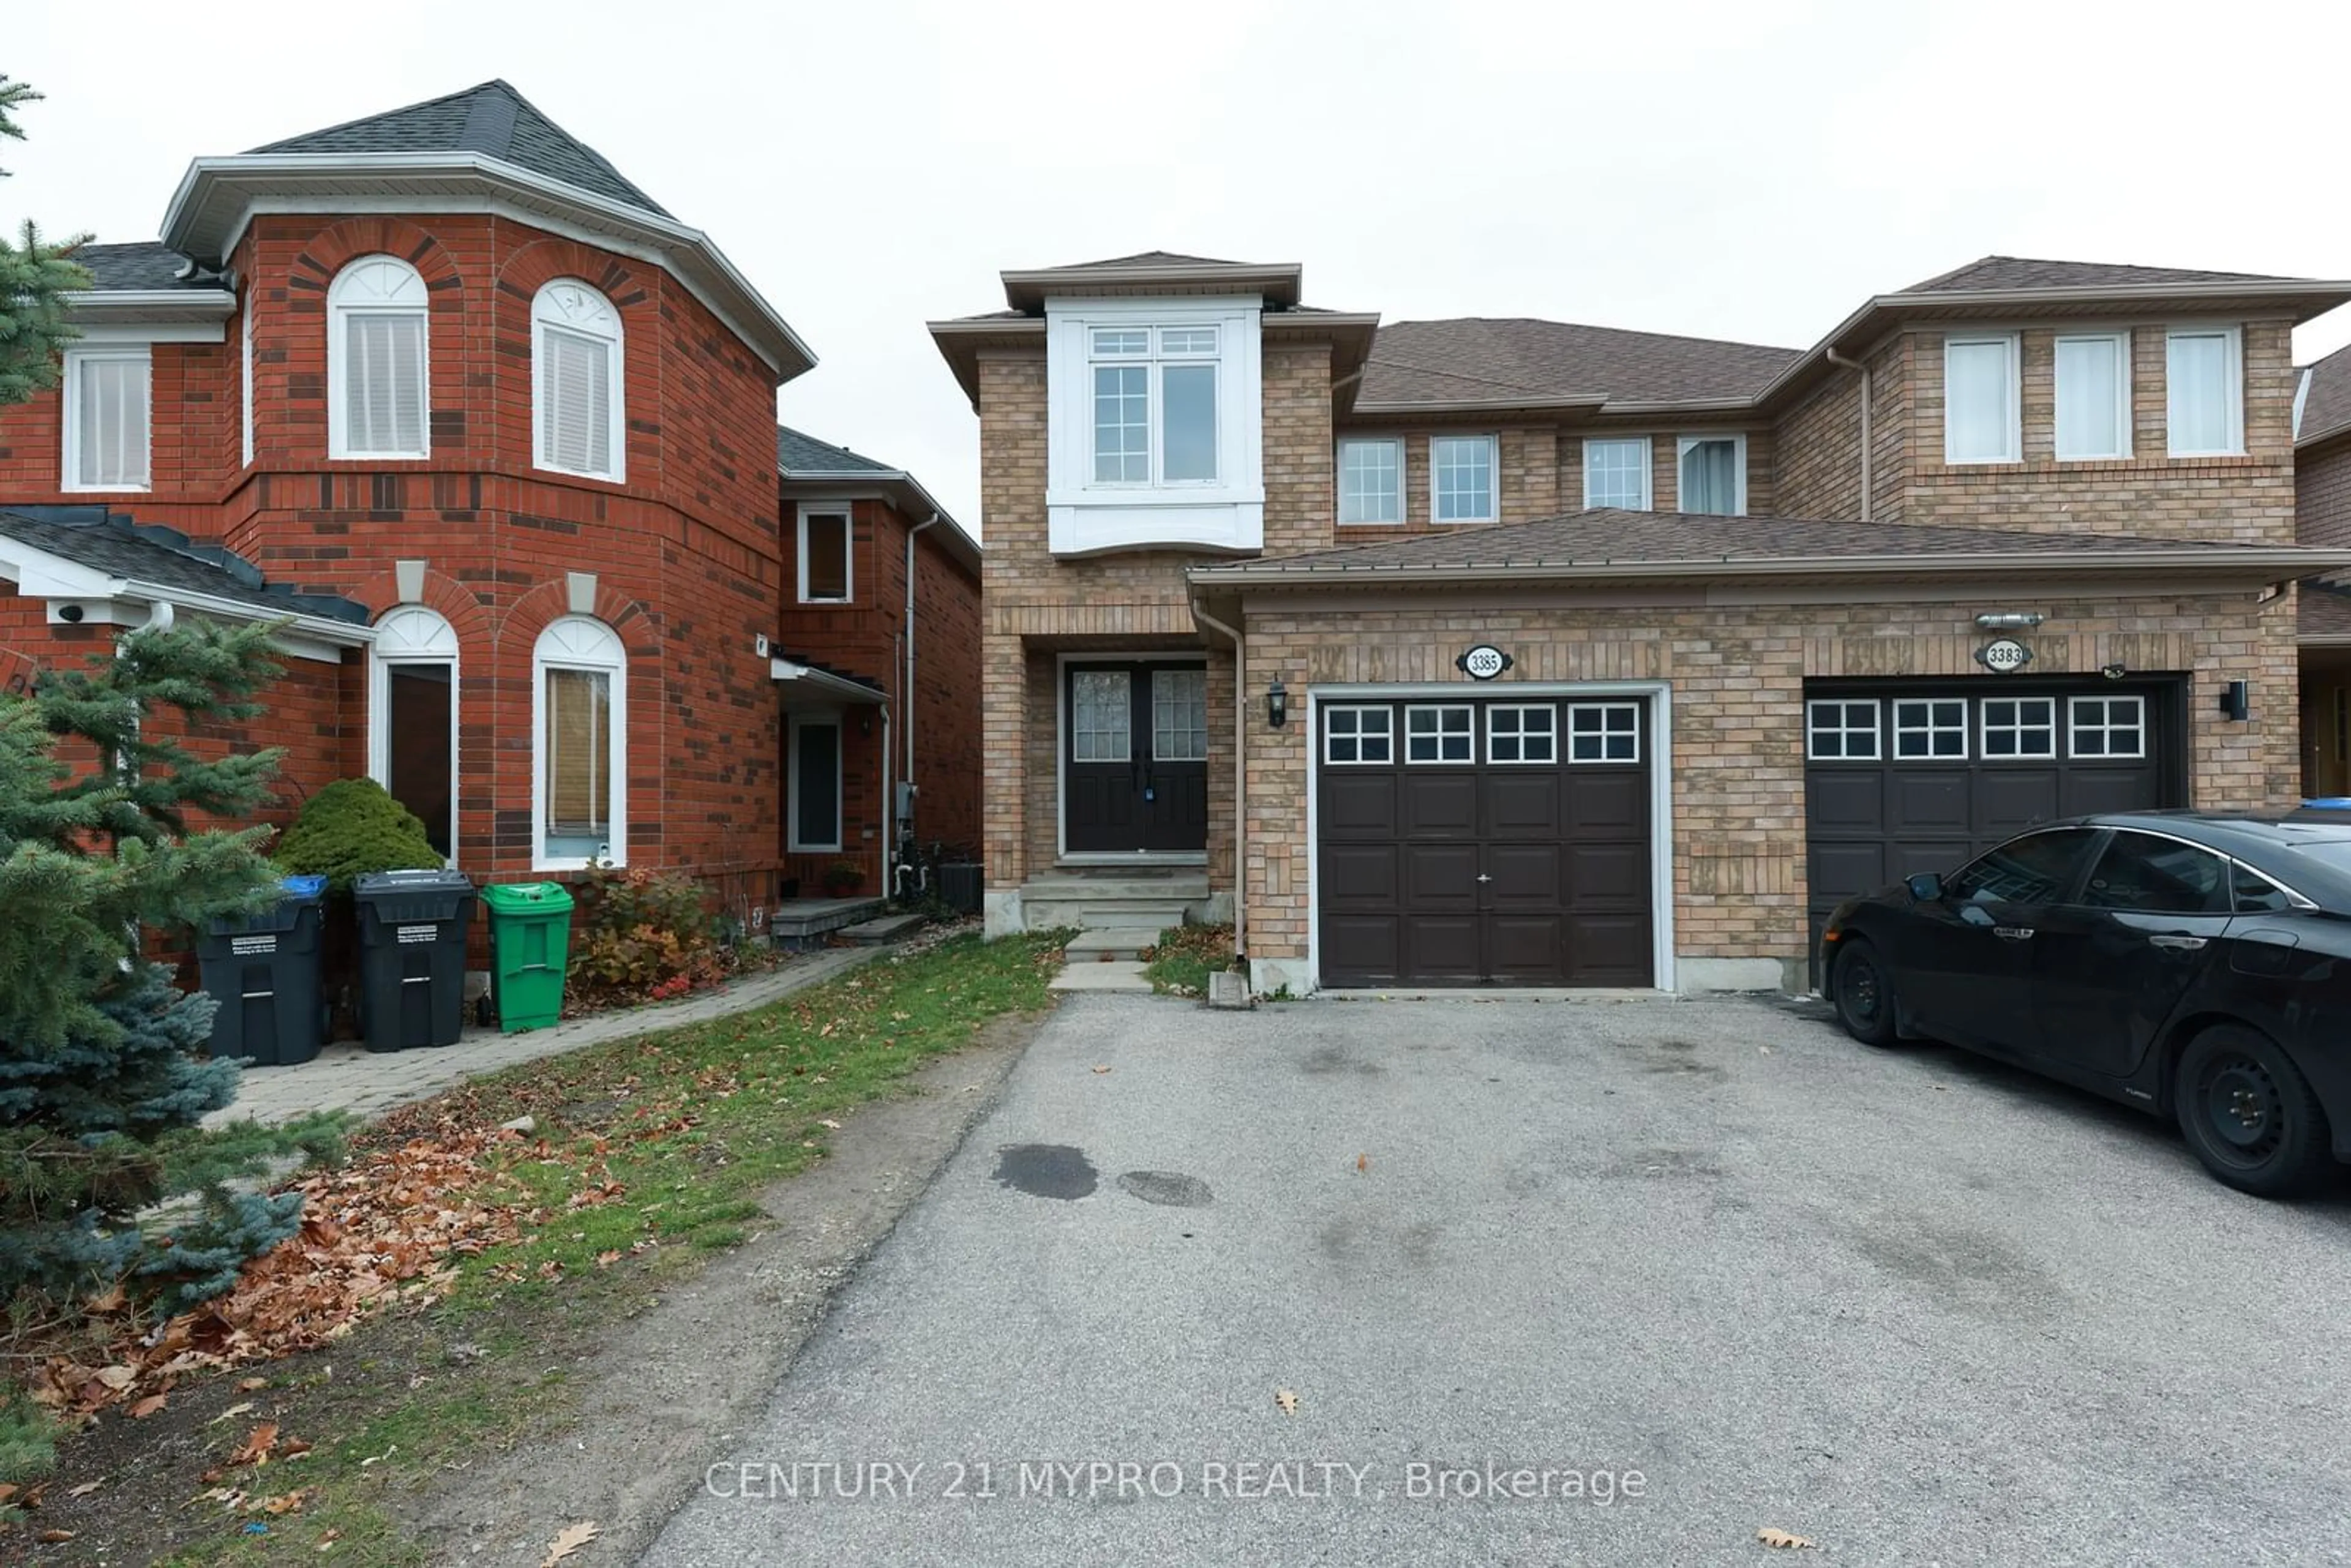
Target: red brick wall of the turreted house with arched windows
{"x":685,"y":551}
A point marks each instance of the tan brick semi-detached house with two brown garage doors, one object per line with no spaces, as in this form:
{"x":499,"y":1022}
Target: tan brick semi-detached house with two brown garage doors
{"x":1513,"y":652}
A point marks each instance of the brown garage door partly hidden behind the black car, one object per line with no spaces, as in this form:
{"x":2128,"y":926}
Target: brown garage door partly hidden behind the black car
{"x":1920,"y":777}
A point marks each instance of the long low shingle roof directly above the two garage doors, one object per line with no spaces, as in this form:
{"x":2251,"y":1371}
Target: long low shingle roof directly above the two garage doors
{"x":1619,"y":537}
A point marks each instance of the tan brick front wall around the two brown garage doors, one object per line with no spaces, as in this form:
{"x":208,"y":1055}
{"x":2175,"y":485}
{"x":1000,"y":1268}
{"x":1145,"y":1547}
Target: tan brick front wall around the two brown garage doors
{"x":1739,"y":718}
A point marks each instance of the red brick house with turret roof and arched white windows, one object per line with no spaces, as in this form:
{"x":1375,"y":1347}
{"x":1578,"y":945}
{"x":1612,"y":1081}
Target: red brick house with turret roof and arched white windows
{"x":500,"y":434}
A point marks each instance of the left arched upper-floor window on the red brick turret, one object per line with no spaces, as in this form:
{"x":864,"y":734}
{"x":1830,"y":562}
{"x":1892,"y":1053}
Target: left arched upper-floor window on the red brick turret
{"x":377,"y":396}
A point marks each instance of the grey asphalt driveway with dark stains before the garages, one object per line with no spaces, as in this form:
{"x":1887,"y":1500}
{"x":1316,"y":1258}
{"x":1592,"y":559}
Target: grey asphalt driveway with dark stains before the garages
{"x":1706,"y":1259}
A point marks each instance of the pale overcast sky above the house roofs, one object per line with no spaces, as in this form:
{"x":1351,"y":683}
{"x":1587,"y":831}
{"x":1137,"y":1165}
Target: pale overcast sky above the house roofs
{"x":1746,"y":170}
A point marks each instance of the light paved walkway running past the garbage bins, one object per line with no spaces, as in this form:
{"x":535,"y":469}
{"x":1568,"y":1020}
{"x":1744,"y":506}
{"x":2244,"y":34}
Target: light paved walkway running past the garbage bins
{"x":373,"y":1083}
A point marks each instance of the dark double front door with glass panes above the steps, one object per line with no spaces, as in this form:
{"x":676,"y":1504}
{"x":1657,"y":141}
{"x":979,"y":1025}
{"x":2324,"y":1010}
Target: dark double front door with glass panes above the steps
{"x":1134,"y":758}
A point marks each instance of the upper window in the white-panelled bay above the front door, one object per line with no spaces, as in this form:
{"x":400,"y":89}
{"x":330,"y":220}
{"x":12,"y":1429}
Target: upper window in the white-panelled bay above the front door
{"x":1153,"y":406}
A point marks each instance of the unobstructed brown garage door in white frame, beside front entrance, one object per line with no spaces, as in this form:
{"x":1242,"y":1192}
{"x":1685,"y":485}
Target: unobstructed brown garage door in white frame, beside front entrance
{"x":1485,"y":843}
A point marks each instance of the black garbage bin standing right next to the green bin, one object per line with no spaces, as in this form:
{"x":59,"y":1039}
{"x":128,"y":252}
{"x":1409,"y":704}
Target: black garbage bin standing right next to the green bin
{"x":413,"y":958}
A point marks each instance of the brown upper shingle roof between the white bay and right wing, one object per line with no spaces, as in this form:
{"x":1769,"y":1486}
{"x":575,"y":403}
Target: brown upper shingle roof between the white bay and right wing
{"x":1527,"y":359}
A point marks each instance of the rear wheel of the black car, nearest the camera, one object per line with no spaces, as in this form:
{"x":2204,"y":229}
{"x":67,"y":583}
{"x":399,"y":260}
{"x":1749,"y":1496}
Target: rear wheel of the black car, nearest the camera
{"x":2251,"y":1115}
